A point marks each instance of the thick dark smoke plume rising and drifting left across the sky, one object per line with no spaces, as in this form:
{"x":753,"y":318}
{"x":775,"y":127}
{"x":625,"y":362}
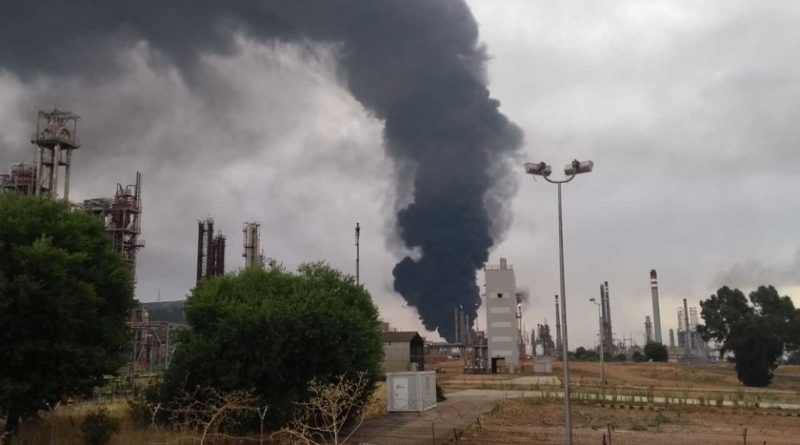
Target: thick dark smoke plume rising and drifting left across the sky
{"x":417,"y":65}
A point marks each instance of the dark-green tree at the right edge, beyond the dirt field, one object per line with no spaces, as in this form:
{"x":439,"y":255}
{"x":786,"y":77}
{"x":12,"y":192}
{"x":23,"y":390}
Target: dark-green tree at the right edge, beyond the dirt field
{"x":758,"y":334}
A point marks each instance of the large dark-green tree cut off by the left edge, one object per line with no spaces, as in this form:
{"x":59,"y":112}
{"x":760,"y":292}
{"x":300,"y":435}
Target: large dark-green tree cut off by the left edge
{"x":64,"y":299}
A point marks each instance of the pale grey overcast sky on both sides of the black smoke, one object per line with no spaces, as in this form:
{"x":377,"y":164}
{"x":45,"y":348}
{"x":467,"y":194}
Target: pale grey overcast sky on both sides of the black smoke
{"x":688,"y":110}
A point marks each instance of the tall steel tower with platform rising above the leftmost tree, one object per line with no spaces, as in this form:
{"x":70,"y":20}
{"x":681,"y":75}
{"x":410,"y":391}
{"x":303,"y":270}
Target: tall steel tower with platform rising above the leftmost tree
{"x":55,"y":139}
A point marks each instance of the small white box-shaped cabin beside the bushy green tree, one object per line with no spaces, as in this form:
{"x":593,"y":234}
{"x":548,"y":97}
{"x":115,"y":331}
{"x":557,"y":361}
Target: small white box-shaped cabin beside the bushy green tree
{"x":410,"y":391}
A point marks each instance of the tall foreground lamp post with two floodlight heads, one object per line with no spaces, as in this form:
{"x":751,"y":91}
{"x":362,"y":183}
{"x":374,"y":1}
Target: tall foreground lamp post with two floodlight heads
{"x":570,"y":170}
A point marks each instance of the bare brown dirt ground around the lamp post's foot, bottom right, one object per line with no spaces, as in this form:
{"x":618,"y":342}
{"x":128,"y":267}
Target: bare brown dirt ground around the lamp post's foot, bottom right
{"x":525,"y":421}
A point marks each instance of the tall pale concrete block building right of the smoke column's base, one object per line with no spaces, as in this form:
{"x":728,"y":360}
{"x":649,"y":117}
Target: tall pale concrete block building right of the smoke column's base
{"x":501,"y":310}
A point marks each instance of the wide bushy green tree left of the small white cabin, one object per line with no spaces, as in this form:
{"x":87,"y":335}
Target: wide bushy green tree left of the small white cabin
{"x":274,"y":332}
